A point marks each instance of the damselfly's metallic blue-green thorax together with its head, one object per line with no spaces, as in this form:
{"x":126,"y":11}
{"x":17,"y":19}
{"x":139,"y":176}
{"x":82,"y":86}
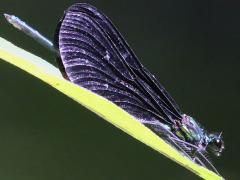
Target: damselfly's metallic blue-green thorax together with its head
{"x":190,"y":131}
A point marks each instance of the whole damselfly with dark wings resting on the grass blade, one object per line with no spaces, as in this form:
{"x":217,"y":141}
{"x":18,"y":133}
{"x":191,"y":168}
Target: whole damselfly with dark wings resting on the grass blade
{"x":92,"y":53}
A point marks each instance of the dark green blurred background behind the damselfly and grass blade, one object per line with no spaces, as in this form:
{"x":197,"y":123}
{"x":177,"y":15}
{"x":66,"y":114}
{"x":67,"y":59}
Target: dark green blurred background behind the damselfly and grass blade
{"x":191,"y":46}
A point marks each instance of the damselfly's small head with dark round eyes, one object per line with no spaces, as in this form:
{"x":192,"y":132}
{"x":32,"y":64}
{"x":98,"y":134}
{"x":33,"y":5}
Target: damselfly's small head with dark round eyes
{"x":216,"y":144}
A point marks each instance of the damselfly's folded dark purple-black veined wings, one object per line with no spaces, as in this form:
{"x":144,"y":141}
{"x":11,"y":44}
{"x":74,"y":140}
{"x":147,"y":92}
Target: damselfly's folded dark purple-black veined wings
{"x":95,"y":56}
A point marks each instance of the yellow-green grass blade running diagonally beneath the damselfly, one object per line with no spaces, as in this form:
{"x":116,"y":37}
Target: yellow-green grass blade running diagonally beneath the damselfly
{"x":107,"y":110}
